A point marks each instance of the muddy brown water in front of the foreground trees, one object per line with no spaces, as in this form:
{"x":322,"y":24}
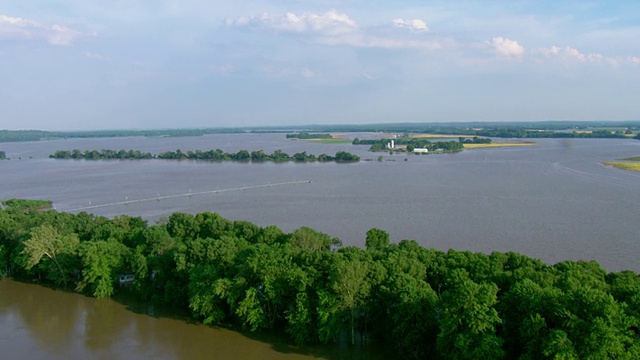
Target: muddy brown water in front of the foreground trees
{"x":40,"y":323}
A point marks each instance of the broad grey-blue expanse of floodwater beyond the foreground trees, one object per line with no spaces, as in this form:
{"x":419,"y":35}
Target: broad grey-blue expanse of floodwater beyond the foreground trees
{"x":554,"y":201}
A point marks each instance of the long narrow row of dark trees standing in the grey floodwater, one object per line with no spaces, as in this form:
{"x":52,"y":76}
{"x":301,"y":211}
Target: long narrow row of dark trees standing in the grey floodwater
{"x":211,"y":155}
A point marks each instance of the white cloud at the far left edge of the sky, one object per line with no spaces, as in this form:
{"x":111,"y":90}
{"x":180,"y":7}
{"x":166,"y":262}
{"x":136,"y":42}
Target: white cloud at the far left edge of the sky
{"x":28,"y":29}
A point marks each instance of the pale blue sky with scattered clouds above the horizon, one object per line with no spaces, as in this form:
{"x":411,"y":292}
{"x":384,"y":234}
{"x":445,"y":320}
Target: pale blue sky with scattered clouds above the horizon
{"x":145,"y":64}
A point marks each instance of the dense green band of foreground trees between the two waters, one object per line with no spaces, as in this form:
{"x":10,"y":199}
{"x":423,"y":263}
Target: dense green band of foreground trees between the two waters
{"x":423,"y":302}
